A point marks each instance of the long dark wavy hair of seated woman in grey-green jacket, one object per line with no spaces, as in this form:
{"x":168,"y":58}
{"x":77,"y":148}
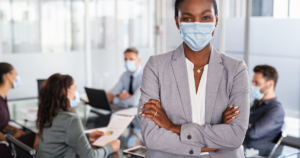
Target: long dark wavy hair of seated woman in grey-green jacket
{"x":53,"y":96}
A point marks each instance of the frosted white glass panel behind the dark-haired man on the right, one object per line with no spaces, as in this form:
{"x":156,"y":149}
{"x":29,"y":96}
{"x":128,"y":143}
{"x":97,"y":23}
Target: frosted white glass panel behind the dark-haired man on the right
{"x":276,"y":42}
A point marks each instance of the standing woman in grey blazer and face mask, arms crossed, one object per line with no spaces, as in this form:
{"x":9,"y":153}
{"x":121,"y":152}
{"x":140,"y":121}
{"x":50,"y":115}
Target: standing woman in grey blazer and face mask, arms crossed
{"x":186,"y":91}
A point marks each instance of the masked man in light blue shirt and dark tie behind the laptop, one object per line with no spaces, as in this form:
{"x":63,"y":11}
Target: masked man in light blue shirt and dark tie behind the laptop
{"x":127,"y":91}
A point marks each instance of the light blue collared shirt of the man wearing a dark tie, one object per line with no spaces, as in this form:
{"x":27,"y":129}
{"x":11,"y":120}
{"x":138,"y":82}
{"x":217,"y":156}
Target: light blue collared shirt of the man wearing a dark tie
{"x":123,"y":85}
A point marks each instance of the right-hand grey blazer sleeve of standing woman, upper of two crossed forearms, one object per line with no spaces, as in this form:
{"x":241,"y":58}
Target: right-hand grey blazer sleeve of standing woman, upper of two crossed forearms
{"x":225,"y":136}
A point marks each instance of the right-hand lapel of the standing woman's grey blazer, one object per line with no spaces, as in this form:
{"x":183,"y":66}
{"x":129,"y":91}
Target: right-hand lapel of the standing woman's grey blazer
{"x":215,"y":70}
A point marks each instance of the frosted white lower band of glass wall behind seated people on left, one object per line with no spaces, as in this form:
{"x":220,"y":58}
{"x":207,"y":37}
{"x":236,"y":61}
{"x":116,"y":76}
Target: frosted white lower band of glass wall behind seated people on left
{"x":107,"y":67}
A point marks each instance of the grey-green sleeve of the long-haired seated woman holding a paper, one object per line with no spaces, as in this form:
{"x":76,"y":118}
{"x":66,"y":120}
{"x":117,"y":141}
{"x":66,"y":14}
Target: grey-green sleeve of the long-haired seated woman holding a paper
{"x":77,"y":140}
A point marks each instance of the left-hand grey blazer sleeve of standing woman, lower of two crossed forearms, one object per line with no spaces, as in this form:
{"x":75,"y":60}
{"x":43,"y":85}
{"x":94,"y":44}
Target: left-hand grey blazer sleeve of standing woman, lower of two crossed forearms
{"x":157,"y":138}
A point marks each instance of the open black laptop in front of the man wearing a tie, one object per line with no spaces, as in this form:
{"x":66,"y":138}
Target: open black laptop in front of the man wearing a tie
{"x":98,"y":99}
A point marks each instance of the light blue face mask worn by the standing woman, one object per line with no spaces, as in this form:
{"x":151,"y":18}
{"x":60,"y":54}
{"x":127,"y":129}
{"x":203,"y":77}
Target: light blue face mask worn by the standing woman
{"x":197,"y":35}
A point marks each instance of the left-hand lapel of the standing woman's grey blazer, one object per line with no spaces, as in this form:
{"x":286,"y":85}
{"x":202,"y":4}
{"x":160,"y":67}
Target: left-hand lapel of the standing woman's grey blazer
{"x":181,"y":76}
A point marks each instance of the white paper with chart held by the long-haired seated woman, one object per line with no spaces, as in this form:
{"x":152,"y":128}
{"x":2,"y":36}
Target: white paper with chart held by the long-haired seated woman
{"x":115,"y":128}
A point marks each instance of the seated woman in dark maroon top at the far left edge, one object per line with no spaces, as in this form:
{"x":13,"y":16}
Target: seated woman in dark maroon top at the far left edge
{"x":8,"y":80}
